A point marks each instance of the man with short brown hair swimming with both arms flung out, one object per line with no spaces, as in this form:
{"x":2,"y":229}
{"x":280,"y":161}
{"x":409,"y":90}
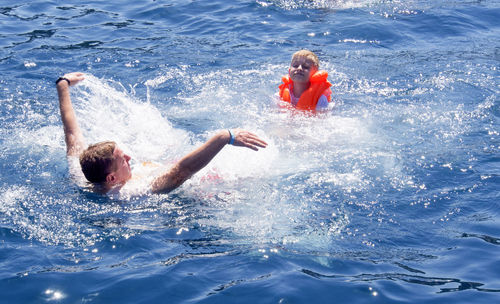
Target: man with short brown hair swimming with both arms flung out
{"x":106,"y":165}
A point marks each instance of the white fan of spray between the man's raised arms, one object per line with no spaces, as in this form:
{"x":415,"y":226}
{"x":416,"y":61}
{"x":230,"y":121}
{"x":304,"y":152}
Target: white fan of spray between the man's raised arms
{"x":106,"y":113}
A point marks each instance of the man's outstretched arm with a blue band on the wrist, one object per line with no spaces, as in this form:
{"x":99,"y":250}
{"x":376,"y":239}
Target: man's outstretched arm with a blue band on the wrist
{"x":199,"y":158}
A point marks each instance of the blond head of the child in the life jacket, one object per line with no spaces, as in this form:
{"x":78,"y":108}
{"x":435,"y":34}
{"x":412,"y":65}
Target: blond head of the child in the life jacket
{"x":304,"y":64}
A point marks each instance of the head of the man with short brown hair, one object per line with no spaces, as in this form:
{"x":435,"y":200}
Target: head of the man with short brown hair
{"x":105,"y":162}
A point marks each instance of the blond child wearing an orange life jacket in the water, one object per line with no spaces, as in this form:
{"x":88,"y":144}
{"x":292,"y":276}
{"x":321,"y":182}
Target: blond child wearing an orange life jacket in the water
{"x":305,"y":86}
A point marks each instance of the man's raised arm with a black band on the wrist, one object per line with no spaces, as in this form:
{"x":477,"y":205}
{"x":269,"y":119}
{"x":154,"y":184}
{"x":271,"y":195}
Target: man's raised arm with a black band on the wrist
{"x":72,"y":133}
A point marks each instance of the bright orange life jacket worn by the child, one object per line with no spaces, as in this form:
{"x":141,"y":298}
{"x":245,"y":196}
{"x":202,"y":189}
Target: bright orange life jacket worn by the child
{"x":309,"y":98}
